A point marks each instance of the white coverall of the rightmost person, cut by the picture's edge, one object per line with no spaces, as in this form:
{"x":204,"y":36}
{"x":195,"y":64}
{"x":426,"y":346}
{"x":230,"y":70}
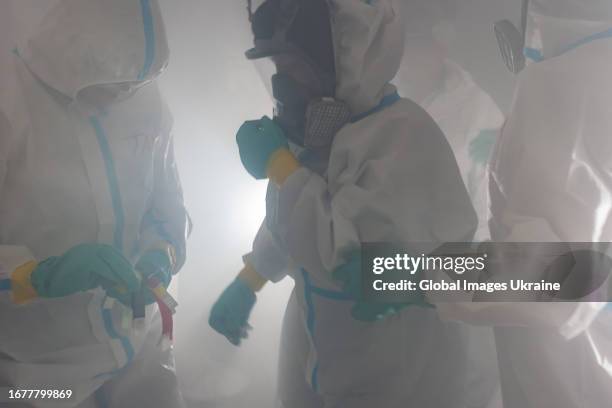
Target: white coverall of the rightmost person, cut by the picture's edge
{"x":552,"y":182}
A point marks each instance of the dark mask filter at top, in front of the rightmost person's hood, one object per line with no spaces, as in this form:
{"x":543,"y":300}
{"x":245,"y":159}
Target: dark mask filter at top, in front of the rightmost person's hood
{"x":511,"y":41}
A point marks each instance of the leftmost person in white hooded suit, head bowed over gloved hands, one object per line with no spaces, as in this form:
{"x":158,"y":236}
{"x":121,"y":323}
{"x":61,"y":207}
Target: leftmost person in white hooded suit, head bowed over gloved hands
{"x":89,"y":192}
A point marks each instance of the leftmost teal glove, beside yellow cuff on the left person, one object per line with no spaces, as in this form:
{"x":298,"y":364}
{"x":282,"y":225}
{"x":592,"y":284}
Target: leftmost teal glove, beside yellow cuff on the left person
{"x":83,"y":267}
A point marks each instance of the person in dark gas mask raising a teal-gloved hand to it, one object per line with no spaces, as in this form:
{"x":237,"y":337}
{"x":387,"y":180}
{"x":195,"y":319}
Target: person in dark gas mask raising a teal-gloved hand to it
{"x":361,"y":164}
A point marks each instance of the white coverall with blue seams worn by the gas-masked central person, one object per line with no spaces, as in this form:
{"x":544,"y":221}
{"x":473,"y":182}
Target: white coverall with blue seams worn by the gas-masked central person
{"x":391,"y":176}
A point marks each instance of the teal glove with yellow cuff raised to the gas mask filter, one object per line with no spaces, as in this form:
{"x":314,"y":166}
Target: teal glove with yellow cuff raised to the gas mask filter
{"x":257,"y":141}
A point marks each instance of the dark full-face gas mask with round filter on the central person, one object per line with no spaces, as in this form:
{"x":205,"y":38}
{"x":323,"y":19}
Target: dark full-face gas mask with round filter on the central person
{"x":293,"y":54}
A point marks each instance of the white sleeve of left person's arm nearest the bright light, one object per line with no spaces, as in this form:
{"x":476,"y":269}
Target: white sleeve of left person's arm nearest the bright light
{"x":166,"y":221}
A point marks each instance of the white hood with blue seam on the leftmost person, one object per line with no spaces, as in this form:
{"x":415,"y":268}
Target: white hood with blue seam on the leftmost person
{"x":81,"y":43}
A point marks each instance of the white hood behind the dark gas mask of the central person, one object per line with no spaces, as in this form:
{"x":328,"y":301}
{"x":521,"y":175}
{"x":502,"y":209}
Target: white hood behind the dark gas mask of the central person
{"x":368,"y":39}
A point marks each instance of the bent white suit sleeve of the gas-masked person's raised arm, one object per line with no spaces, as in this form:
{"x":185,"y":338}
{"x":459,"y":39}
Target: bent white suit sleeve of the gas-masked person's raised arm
{"x":392,"y":177}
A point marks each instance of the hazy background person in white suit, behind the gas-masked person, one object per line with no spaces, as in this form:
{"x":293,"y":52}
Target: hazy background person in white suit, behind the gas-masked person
{"x":471,"y":122}
